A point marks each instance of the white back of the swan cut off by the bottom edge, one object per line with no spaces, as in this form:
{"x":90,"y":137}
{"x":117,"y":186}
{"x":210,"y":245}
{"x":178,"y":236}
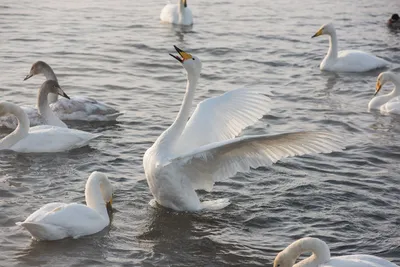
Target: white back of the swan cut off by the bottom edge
{"x":360,"y":260}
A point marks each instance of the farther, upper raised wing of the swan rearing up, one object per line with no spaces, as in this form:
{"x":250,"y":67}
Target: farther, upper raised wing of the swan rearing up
{"x":223,"y":117}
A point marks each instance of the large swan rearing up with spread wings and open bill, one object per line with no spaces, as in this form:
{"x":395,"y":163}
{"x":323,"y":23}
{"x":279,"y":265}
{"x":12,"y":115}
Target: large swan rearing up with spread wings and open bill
{"x":193,"y":154}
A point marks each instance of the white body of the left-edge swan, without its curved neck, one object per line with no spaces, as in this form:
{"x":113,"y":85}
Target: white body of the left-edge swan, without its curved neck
{"x":46,"y":138}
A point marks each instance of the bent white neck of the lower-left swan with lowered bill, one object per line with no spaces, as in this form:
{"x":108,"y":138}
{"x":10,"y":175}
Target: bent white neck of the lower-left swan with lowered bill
{"x":94,"y":198}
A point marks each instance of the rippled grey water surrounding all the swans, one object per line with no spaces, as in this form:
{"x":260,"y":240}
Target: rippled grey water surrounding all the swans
{"x":117,"y":52}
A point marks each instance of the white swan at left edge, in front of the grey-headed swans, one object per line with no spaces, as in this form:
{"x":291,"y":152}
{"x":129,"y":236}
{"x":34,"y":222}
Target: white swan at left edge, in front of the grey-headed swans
{"x":42,"y":138}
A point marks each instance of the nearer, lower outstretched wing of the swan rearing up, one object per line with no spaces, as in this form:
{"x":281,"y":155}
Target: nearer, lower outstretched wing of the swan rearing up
{"x":217,"y":161}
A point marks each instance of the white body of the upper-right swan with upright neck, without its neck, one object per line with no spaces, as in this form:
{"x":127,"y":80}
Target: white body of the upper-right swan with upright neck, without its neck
{"x":357,"y":61}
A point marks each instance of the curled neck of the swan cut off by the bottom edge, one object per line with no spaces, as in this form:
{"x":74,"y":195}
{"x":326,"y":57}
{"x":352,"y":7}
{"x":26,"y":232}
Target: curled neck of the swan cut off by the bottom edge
{"x":318,"y":248}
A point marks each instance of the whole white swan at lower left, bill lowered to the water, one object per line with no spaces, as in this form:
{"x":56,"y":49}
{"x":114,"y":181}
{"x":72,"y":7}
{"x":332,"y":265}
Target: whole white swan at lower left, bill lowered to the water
{"x":58,"y":220}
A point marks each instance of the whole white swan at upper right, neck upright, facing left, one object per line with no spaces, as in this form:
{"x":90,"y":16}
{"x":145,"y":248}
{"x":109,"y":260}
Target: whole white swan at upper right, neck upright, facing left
{"x":347,"y":60}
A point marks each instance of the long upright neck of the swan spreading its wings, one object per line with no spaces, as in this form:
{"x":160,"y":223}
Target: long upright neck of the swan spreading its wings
{"x":172,"y":134}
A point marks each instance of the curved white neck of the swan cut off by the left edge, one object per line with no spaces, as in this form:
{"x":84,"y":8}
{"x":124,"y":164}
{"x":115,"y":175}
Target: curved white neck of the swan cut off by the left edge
{"x":20,"y":132}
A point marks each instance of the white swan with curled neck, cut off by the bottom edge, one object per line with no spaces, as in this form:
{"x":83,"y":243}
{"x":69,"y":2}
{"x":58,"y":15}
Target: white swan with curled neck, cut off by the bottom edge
{"x":321,"y":256}
